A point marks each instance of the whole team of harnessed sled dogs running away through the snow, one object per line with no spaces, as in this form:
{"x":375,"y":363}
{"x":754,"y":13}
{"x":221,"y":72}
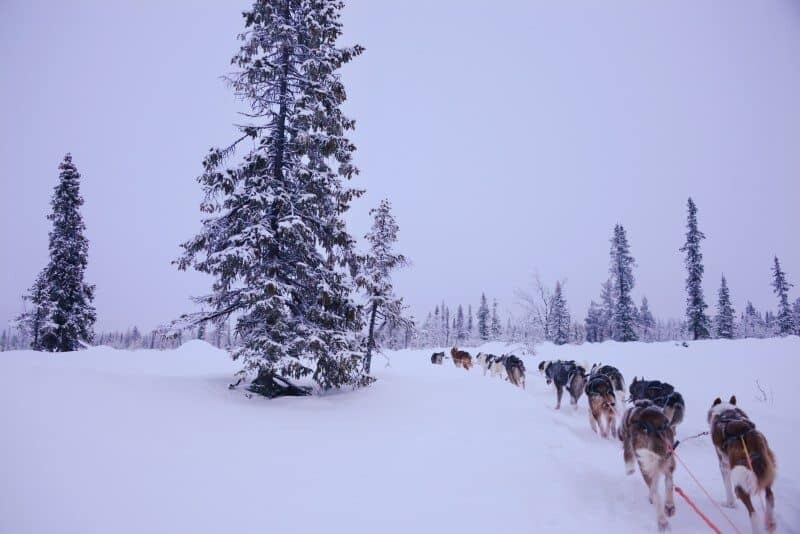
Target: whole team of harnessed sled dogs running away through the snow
{"x":647,"y":428}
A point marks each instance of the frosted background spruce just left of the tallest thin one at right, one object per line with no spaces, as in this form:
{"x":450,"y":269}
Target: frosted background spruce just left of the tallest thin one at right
{"x":624,"y":324}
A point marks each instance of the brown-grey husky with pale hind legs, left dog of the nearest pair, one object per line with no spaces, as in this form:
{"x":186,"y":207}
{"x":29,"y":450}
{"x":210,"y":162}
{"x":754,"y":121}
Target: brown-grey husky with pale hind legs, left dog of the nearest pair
{"x":648,"y":437}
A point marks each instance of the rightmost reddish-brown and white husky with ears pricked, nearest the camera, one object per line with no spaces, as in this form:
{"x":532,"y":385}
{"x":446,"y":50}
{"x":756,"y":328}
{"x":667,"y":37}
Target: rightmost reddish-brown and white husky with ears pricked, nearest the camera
{"x":746,"y":462}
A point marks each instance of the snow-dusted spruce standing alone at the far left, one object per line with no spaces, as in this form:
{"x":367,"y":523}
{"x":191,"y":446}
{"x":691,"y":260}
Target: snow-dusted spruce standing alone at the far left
{"x":62,"y":301}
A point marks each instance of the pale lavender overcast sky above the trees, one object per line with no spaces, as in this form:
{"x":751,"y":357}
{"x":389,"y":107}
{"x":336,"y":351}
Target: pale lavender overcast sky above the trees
{"x":510,"y":136}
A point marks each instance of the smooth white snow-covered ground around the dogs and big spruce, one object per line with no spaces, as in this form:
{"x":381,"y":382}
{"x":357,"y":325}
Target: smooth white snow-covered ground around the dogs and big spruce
{"x":114,"y":441}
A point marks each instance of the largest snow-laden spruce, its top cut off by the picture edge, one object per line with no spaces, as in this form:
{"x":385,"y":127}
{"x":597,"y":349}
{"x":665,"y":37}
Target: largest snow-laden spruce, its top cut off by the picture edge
{"x":274,"y":237}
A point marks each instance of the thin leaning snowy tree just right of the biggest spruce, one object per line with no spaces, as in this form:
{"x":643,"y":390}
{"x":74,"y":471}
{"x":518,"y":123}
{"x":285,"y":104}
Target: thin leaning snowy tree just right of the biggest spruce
{"x":375,"y":276}
